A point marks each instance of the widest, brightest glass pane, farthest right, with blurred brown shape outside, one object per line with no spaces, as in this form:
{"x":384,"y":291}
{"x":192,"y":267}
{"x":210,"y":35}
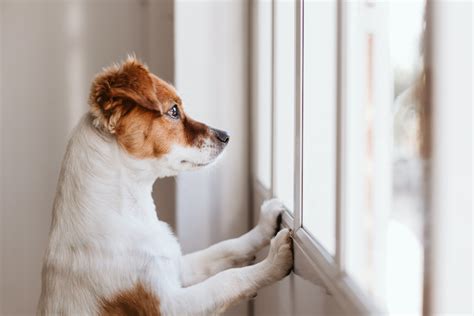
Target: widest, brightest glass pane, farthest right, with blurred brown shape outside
{"x":385,"y":151}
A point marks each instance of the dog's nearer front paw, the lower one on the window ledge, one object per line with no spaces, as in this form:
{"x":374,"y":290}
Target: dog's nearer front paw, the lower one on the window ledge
{"x":280,"y":256}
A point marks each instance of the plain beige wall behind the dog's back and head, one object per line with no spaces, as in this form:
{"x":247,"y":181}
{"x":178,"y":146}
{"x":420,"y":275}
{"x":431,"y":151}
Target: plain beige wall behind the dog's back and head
{"x":50,"y":51}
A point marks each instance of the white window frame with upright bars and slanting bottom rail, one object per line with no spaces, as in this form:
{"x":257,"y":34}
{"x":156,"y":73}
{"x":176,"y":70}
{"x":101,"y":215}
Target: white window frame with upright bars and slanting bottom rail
{"x":312,"y":261}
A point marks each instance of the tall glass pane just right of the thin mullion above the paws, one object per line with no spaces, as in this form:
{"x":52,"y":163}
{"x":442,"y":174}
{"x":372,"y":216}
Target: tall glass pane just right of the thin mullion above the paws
{"x":319,"y":121}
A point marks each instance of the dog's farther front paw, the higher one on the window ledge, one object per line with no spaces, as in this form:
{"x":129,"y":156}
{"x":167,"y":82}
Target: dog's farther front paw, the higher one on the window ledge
{"x":270,"y":217}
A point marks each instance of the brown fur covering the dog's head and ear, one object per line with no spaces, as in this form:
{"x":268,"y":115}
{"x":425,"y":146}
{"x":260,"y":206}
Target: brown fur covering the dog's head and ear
{"x":132,"y":103}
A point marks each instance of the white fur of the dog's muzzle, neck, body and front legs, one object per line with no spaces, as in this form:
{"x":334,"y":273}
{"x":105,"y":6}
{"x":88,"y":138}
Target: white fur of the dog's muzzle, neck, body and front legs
{"x":105,"y":237}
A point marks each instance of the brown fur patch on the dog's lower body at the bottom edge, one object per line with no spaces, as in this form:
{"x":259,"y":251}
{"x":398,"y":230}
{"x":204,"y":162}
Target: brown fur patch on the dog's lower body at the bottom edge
{"x":137,"y":301}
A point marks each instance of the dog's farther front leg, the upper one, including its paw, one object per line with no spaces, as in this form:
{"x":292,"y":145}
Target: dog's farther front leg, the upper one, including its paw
{"x":238,"y":252}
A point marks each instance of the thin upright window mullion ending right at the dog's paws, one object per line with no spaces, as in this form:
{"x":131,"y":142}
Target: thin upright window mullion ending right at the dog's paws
{"x":298,"y":170}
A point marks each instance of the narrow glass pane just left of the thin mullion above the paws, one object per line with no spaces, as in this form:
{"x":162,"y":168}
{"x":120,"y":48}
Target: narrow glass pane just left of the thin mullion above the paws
{"x":284,"y":100}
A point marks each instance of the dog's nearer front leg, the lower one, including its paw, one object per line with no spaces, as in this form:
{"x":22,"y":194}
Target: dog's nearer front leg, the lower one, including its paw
{"x":224,"y":289}
